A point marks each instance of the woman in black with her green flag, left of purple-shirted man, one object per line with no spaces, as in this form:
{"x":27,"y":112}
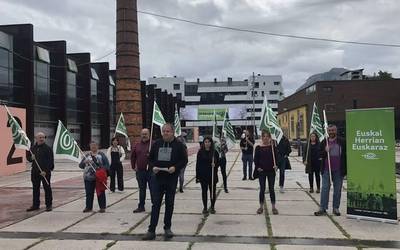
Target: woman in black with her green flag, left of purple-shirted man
{"x":311,"y":153}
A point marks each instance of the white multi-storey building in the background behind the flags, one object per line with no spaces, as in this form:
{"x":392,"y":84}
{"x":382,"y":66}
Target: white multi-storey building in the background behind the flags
{"x":239,"y":97}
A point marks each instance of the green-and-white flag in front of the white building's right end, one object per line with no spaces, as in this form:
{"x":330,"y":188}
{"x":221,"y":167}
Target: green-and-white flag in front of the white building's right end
{"x":270,"y":123}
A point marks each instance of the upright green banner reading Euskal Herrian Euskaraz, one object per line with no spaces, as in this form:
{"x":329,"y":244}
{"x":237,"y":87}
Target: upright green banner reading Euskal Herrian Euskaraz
{"x":371,"y":177}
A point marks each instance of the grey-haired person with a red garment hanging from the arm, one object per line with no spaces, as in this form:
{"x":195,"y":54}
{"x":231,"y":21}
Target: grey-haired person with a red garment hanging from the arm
{"x":95,"y":166}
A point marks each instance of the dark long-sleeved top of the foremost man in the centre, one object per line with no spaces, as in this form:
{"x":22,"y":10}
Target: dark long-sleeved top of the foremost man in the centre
{"x":179,"y":157}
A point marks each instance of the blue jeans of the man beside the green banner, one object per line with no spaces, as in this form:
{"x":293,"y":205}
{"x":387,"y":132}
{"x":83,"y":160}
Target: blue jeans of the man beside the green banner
{"x":337,"y":179}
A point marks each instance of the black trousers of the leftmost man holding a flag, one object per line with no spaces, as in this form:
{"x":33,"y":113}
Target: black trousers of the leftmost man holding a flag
{"x":36,"y":179}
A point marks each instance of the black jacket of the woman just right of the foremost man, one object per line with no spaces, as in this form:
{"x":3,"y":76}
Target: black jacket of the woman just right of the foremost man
{"x":203,"y":166}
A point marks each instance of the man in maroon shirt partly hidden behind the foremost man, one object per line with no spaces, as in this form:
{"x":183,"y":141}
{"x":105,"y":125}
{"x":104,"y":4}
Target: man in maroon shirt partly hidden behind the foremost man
{"x":139,"y":163}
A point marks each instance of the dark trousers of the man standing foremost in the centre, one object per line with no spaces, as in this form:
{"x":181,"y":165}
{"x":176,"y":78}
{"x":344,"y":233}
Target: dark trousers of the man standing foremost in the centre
{"x":159,"y":188}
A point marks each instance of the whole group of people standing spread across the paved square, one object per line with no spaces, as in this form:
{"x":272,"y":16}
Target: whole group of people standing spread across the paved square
{"x":160,"y":164}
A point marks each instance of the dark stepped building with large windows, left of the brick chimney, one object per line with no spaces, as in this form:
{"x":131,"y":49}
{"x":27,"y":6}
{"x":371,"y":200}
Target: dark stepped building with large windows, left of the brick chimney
{"x":52,"y":85}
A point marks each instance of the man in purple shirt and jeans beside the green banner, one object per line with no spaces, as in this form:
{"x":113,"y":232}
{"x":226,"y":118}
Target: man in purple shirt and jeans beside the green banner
{"x":336,"y":146}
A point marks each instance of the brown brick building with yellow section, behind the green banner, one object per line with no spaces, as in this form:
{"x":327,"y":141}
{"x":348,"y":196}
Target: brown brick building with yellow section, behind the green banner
{"x":335,"y":96}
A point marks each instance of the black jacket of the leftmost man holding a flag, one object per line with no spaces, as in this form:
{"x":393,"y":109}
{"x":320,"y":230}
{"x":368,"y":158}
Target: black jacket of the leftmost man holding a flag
{"x":44,"y":156}
